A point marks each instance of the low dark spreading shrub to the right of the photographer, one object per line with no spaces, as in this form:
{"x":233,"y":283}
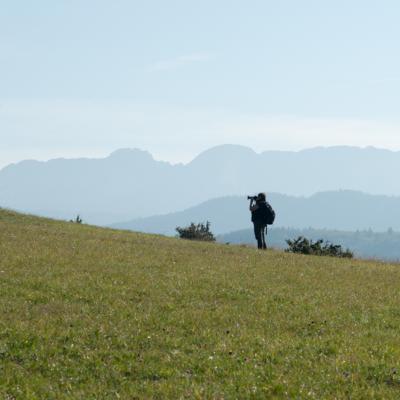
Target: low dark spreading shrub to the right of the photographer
{"x":319,"y":248}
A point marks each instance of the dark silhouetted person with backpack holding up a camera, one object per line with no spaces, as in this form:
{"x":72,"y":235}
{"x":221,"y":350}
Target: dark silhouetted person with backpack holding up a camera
{"x":262,"y":214}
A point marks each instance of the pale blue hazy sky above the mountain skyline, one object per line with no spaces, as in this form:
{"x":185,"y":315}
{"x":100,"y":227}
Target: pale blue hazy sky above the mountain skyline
{"x":85,"y":77}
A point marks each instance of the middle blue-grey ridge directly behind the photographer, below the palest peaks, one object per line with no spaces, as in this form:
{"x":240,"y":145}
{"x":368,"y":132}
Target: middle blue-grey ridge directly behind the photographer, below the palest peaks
{"x":342,"y":210}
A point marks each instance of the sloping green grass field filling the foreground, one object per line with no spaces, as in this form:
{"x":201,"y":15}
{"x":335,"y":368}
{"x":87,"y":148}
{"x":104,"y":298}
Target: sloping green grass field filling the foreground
{"x":90,"y":313}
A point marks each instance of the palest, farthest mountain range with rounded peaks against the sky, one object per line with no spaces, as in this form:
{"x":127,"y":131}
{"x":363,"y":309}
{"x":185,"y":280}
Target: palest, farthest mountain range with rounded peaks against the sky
{"x":131,"y":184}
